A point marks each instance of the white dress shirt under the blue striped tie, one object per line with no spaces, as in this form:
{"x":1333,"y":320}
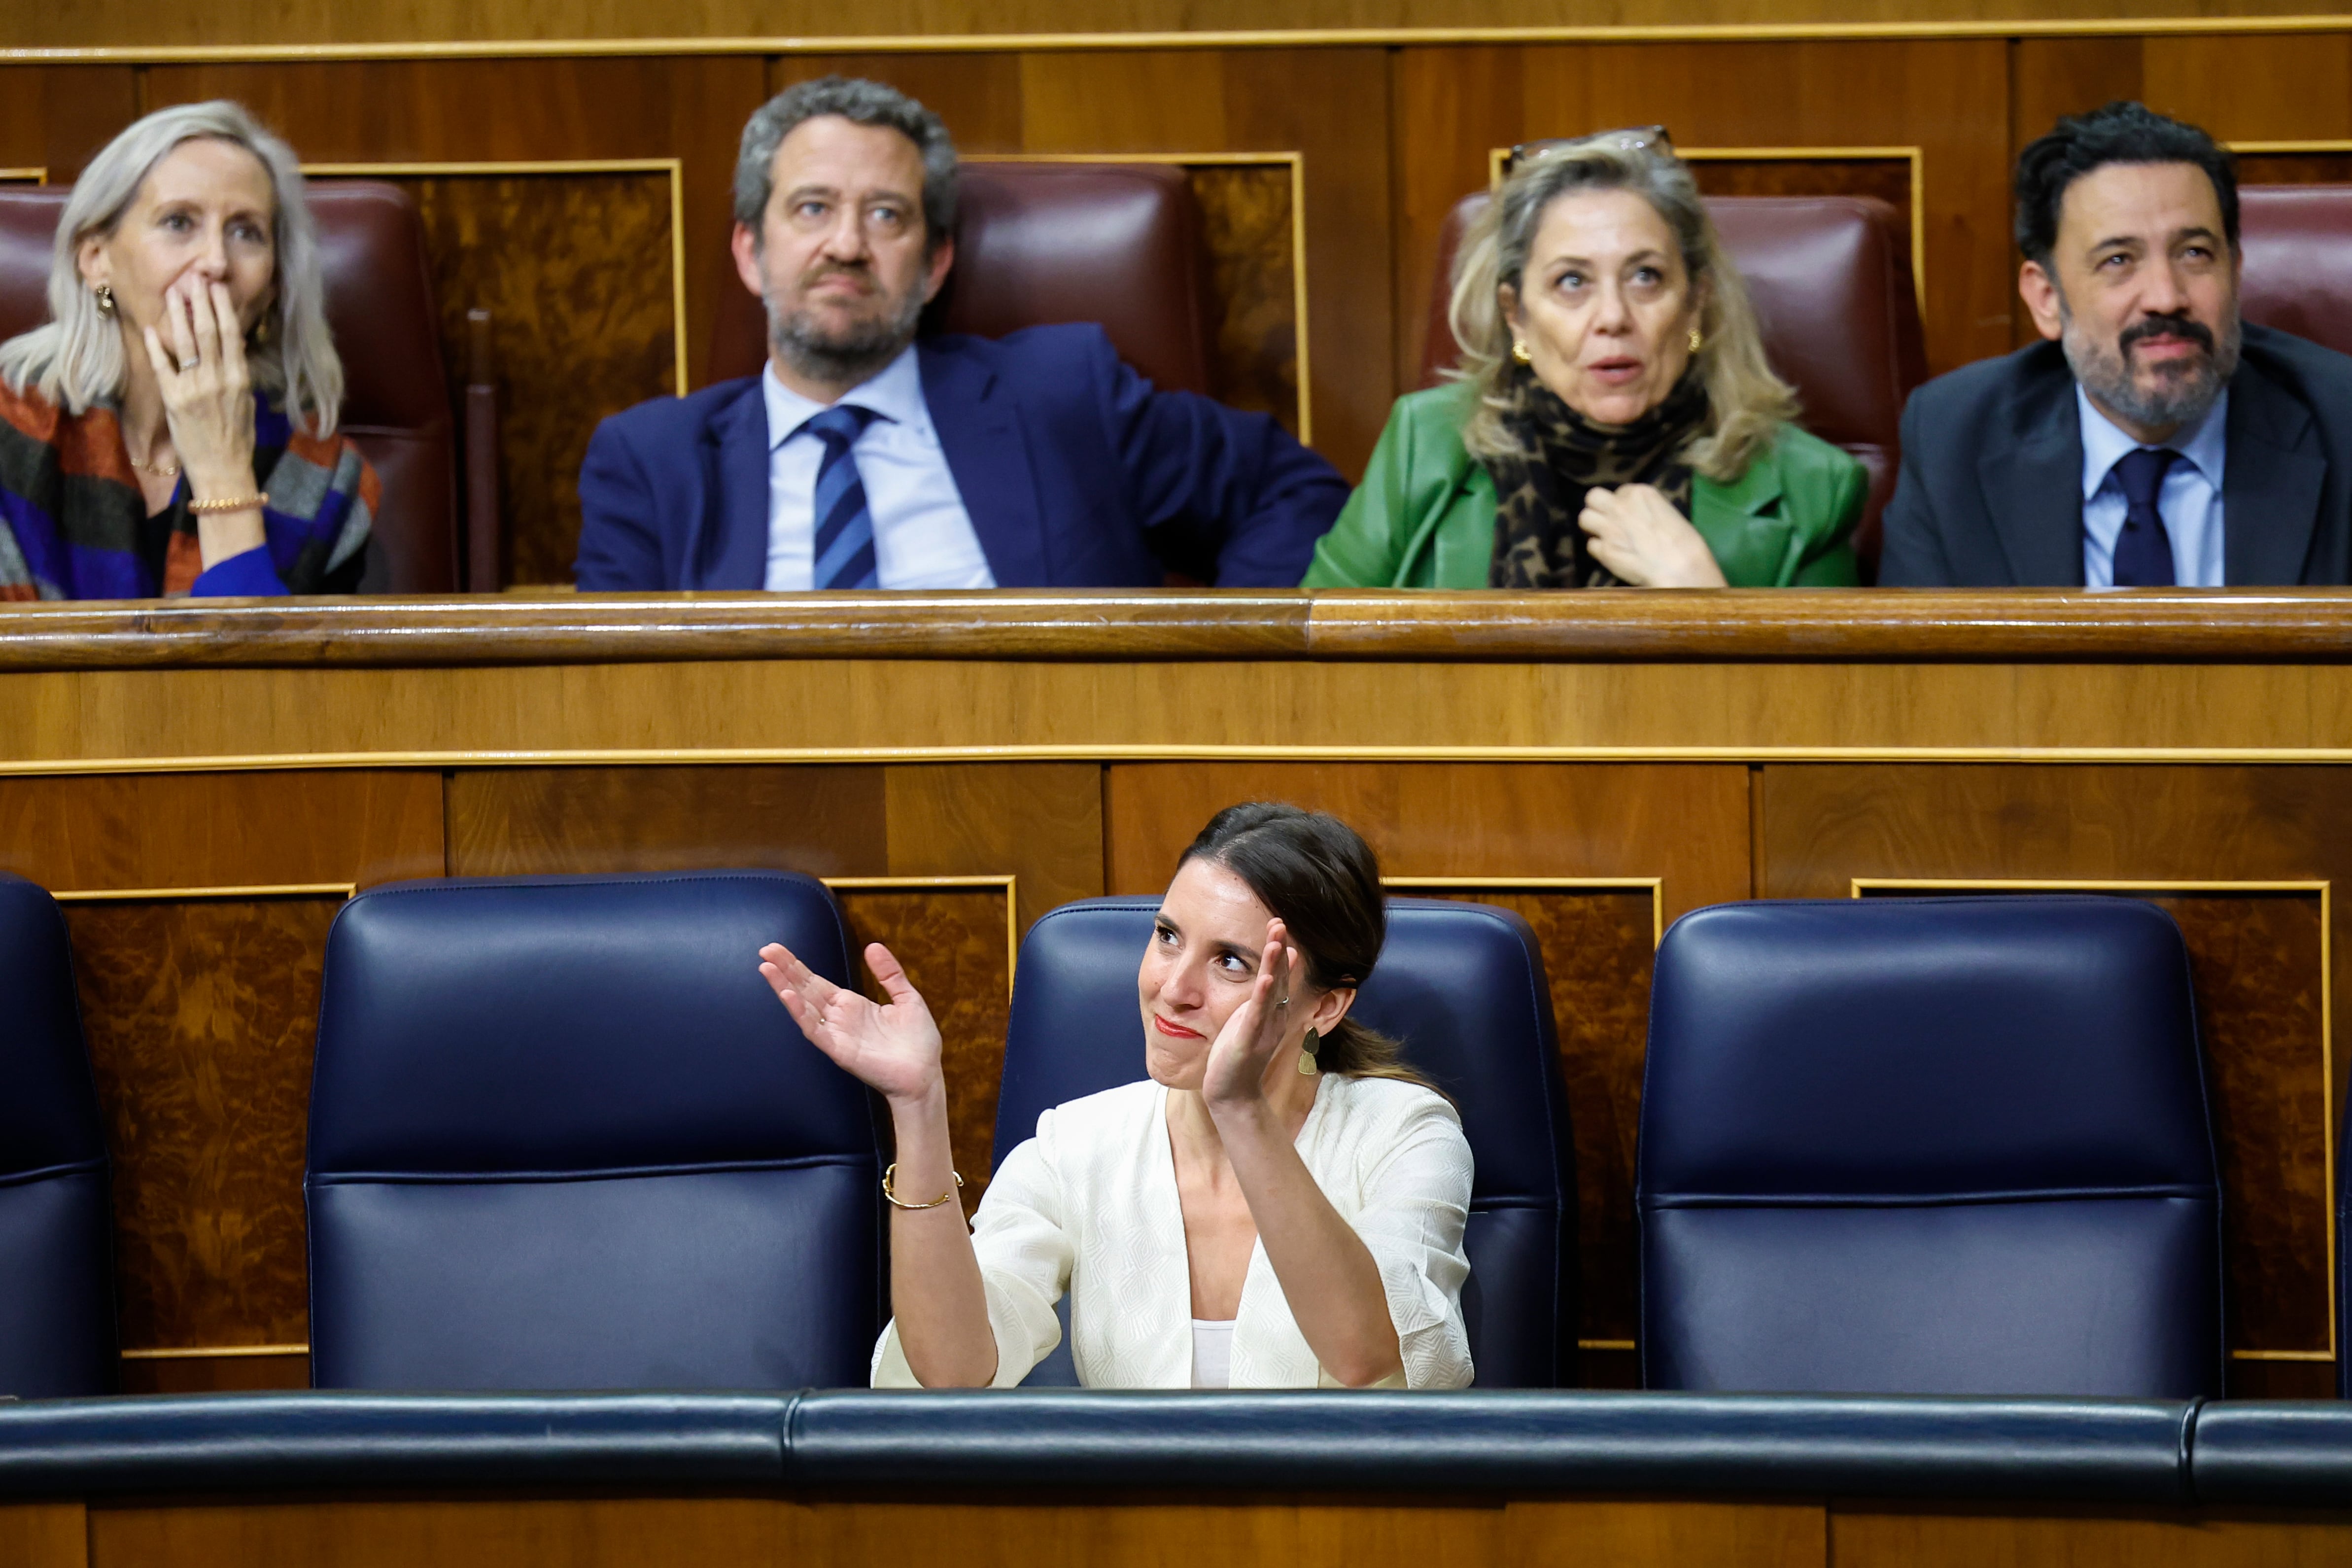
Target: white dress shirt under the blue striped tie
{"x":923,"y":532}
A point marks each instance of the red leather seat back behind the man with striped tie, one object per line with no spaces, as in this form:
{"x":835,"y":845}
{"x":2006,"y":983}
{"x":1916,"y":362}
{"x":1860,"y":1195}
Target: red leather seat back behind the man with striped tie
{"x":1043,"y":243}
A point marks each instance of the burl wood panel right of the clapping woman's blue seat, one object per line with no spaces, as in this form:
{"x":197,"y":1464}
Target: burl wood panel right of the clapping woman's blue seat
{"x":1598,"y":956}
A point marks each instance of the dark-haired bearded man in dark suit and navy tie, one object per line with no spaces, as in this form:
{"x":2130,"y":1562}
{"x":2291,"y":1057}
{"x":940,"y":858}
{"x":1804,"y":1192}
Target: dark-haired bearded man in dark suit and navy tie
{"x":2151,"y":438}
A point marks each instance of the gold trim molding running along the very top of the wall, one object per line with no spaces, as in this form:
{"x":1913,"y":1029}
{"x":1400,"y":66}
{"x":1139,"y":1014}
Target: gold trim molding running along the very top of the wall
{"x":1231,"y":39}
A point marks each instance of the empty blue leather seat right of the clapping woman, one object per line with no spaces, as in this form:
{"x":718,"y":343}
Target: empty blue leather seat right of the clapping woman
{"x":1935,"y":1146}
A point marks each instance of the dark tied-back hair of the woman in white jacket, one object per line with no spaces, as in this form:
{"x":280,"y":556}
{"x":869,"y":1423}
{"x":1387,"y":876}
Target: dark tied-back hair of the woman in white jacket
{"x":1323,"y":883}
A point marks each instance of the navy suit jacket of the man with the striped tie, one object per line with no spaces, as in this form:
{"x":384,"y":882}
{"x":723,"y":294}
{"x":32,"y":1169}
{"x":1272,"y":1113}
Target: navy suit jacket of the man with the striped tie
{"x":1074,"y":469}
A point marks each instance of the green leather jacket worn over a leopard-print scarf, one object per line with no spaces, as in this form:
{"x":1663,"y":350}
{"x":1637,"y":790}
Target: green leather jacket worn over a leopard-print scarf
{"x":1424,"y":514}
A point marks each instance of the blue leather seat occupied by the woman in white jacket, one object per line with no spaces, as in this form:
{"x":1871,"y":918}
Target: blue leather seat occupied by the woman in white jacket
{"x":1464,"y":989}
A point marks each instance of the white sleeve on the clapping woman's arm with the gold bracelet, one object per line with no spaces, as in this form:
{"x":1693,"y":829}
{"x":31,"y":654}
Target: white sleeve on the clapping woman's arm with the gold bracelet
{"x":1024,"y":1266}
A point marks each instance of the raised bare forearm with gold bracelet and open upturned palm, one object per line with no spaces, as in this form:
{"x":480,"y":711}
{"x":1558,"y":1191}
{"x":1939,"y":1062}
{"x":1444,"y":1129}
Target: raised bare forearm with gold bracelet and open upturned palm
{"x":935,"y":1278}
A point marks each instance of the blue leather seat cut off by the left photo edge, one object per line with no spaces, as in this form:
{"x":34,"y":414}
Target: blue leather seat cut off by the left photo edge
{"x":58,"y":1296}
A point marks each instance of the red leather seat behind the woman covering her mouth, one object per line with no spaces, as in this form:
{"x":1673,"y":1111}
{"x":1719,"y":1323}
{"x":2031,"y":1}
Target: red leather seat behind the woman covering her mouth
{"x":380,"y":307}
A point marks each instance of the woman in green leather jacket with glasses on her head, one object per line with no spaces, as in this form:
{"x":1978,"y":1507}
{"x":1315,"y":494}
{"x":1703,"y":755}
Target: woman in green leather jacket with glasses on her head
{"x":1612,"y":422}
